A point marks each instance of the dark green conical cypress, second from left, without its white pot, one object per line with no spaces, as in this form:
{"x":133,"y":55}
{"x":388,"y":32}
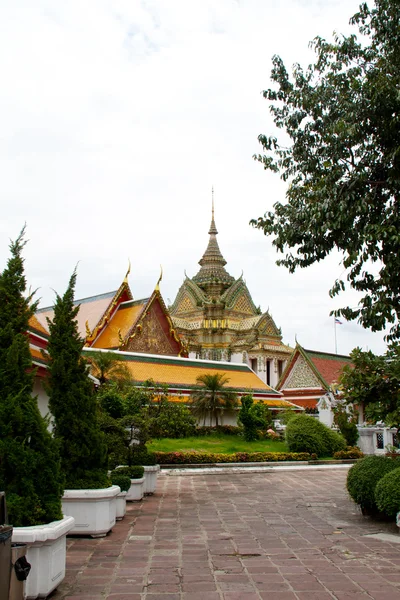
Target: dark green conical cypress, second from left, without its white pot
{"x":72,"y":401}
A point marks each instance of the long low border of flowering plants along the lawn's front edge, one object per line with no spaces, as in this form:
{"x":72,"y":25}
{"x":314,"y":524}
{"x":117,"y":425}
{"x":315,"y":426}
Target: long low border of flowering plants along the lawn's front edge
{"x":191,"y":458}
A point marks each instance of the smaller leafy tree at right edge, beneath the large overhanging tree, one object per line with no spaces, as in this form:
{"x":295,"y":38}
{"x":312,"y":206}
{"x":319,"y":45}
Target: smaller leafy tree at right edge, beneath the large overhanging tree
{"x":375,"y":383}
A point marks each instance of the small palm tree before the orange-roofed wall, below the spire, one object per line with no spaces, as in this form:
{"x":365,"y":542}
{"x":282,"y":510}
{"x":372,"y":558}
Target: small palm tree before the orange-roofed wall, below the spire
{"x":211,"y":397}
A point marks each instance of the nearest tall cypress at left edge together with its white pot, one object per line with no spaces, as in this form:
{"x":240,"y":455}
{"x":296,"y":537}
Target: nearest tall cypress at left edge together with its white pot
{"x":29,"y":460}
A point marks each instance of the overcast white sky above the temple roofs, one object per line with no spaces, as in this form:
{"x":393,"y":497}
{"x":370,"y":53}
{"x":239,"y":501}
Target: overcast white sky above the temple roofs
{"x":117,"y":118}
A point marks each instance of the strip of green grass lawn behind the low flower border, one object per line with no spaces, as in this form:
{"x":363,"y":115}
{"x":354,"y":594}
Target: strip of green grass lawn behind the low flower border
{"x":225,"y":444}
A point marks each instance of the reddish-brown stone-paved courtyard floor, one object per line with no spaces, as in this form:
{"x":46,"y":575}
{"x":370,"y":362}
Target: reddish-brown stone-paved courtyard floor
{"x":274,"y":535}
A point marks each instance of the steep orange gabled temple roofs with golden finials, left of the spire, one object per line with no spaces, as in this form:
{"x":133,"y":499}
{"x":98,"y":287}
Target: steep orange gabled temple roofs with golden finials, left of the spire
{"x":115,"y":320}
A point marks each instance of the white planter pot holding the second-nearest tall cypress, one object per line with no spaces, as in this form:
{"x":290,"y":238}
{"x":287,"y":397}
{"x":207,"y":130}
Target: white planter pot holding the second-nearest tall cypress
{"x":94,"y":511}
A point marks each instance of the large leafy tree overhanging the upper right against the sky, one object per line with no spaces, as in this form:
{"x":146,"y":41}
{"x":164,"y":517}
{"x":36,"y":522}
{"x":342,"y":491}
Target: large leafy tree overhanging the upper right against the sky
{"x":342,"y":115}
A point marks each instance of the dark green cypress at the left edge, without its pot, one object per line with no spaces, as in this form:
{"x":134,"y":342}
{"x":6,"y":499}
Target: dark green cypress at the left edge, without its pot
{"x":29,"y":460}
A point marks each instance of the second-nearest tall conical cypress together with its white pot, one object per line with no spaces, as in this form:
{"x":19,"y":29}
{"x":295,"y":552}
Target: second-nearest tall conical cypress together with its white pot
{"x":89,"y":495}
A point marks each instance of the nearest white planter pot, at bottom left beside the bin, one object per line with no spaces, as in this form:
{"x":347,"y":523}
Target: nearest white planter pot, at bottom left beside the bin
{"x":46,"y":552}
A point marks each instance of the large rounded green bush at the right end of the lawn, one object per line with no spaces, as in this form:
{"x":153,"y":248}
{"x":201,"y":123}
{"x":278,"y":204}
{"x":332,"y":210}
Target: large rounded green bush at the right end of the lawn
{"x":307,"y":434}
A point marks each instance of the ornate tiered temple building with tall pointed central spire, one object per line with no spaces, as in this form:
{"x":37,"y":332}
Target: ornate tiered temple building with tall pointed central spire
{"x":217,"y":320}
